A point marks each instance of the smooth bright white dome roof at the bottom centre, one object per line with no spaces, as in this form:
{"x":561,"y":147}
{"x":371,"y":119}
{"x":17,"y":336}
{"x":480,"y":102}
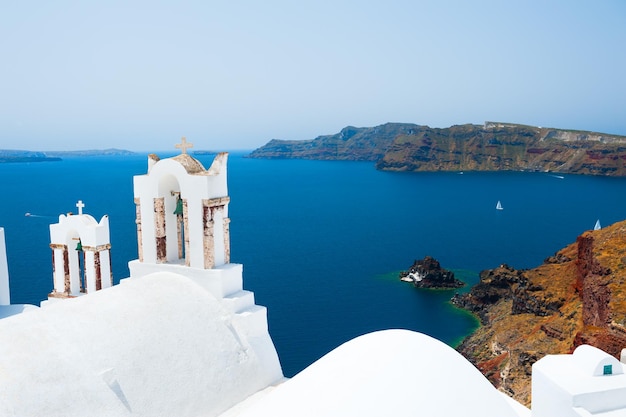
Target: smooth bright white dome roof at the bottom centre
{"x":387,"y":373}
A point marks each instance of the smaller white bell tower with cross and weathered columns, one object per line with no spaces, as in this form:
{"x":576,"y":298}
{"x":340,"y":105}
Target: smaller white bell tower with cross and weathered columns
{"x":81,"y":256}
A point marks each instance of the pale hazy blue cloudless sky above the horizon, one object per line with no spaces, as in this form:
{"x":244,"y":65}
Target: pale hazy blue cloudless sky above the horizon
{"x":233,"y":74}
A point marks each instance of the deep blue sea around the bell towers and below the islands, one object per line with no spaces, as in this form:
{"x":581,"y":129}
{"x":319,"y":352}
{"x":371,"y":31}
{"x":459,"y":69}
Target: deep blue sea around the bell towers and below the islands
{"x":322,"y":242}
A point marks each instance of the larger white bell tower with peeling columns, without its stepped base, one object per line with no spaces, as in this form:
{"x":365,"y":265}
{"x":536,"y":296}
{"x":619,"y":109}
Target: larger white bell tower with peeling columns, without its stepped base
{"x":182,"y":212}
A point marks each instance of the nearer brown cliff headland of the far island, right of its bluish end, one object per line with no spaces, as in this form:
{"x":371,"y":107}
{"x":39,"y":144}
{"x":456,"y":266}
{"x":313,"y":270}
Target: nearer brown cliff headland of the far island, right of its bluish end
{"x":505,"y":147}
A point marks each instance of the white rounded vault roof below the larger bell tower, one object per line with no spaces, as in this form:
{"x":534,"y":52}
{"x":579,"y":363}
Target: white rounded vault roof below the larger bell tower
{"x":159,"y":345}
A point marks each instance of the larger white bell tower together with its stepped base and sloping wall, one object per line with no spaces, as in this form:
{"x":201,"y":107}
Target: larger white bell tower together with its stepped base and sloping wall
{"x":183,"y":228}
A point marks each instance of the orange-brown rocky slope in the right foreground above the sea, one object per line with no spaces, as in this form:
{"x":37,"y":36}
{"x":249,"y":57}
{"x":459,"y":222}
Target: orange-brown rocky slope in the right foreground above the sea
{"x":576,"y":296}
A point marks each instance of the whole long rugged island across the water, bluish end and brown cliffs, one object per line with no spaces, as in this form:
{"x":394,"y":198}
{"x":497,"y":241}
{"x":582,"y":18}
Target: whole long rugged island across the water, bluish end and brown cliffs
{"x":493,"y":146}
